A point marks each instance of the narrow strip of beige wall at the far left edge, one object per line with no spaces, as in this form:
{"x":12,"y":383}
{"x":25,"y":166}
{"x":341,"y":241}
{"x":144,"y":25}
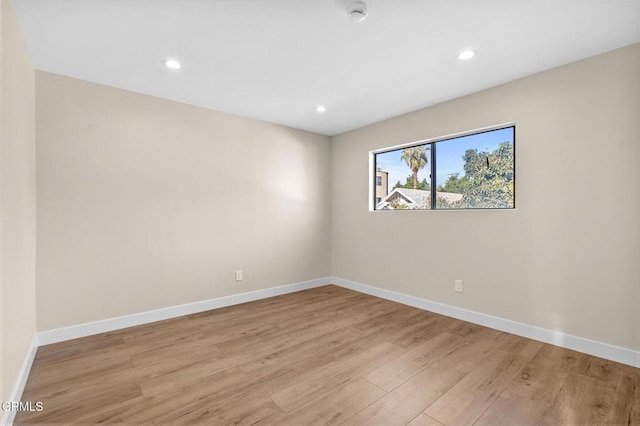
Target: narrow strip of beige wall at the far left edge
{"x":18,"y":200}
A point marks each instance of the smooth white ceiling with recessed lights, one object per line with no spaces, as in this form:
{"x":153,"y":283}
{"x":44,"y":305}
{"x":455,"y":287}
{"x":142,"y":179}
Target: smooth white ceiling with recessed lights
{"x":276,"y":60}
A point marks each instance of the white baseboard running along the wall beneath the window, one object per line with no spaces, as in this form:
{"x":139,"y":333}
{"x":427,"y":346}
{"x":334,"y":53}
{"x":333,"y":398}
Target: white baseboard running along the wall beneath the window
{"x":591,"y":347}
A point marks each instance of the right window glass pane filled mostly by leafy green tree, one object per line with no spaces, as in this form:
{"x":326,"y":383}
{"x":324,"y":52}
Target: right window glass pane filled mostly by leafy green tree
{"x":476,"y":171}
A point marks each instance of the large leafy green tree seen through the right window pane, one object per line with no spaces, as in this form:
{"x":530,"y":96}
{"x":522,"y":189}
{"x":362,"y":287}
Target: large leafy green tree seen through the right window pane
{"x":490,"y":178}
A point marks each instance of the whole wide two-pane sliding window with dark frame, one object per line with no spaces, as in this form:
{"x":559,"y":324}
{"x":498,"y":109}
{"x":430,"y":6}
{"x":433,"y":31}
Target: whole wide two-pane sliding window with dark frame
{"x":473,"y":170}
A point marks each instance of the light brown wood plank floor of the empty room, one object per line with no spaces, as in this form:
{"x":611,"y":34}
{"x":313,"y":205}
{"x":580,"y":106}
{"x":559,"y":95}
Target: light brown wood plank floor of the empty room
{"x":324,"y":356}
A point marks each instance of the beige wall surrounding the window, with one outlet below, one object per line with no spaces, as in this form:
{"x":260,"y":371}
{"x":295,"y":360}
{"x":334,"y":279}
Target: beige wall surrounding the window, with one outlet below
{"x":567,"y":257}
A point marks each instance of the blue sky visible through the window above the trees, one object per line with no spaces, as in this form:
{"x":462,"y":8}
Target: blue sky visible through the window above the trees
{"x":448,"y":156}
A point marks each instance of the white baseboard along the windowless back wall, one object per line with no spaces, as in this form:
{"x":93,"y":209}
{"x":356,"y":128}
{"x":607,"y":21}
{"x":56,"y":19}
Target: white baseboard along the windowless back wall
{"x":111,"y":324}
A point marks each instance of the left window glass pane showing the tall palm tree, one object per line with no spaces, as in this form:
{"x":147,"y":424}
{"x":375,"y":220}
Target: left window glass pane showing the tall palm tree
{"x":407,"y":172}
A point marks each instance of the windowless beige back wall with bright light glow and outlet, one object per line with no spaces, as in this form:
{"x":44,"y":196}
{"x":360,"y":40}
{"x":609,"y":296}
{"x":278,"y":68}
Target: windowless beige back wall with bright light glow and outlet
{"x":145,"y":203}
